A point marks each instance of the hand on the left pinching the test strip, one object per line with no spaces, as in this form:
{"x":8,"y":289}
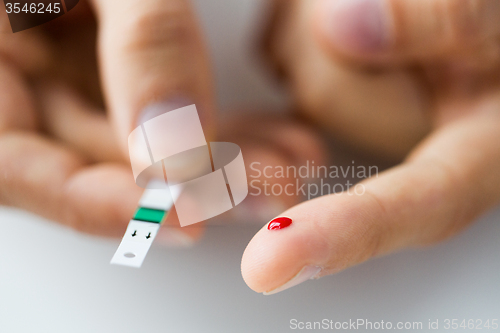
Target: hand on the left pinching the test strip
{"x":60,"y":155}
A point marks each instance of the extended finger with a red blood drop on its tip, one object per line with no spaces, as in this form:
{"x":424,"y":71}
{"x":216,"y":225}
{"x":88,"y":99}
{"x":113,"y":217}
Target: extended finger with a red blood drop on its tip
{"x":447,"y":182}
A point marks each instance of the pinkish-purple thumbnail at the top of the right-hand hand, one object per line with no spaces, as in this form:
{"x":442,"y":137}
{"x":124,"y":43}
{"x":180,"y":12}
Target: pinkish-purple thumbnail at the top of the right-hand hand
{"x":357,"y":26}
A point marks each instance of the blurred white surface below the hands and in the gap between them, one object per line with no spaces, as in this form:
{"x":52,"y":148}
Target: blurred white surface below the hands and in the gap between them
{"x":57,"y":281}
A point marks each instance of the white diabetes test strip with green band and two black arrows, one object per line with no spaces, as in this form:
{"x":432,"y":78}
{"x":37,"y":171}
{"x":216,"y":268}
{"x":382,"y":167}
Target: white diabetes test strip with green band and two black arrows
{"x":154,"y":206}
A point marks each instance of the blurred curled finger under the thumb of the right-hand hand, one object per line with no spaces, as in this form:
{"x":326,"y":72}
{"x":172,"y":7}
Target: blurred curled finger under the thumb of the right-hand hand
{"x":360,"y":109}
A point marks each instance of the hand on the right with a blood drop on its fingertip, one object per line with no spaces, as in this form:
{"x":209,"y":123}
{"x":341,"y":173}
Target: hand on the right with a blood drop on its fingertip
{"x":393,"y":78}
